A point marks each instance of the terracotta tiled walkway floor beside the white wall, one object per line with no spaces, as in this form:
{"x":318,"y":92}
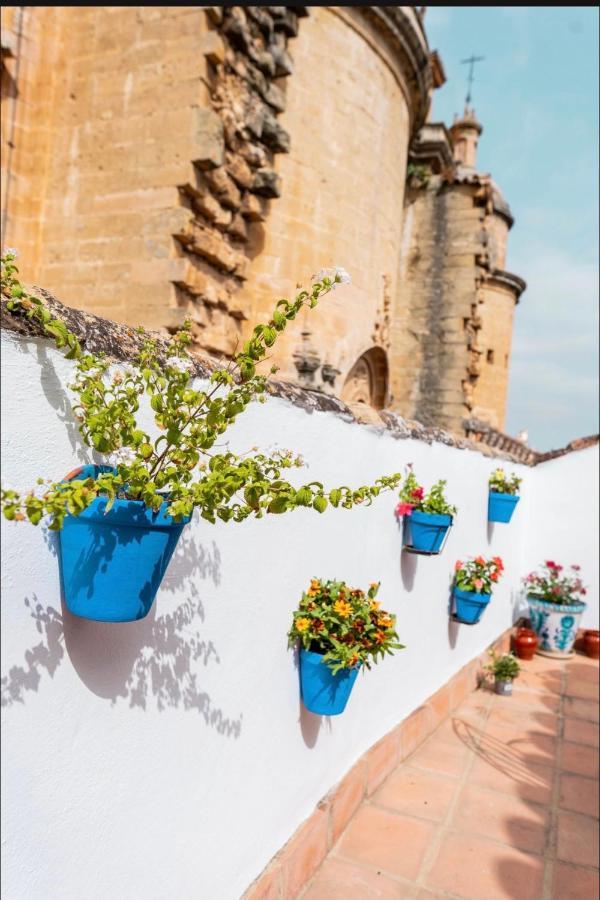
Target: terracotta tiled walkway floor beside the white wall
{"x":500,"y":802}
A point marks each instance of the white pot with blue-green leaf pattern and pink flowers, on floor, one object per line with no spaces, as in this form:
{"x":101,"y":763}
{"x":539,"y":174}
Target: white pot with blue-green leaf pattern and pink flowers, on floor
{"x":555,"y":607}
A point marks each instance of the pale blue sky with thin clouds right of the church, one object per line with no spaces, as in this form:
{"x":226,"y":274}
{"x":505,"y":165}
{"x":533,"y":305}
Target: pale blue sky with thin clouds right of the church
{"x":536,"y":94}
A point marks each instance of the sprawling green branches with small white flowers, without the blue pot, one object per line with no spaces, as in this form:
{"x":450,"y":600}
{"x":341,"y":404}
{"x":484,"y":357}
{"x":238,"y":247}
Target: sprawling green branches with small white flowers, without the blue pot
{"x":182,"y":466}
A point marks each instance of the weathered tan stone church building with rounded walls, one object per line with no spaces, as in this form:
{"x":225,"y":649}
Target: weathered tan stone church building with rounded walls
{"x":160,"y":163}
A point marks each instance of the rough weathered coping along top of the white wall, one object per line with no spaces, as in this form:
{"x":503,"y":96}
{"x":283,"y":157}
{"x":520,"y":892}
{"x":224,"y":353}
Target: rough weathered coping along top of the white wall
{"x":121,"y":343}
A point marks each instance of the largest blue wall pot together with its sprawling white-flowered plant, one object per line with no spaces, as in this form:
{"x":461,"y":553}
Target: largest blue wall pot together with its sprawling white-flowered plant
{"x":120,"y":521}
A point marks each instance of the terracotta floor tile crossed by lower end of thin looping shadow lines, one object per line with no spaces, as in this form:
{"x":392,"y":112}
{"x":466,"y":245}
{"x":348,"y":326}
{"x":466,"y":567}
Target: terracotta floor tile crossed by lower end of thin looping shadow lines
{"x":508,"y":774}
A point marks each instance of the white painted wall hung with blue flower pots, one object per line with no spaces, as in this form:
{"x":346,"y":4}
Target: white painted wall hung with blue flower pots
{"x":171,"y":757}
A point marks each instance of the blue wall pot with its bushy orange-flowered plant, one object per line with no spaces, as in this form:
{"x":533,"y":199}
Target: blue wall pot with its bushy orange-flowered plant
{"x":340,"y":630}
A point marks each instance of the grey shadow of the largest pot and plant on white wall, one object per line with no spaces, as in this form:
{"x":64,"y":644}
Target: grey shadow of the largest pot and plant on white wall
{"x":154,"y":660}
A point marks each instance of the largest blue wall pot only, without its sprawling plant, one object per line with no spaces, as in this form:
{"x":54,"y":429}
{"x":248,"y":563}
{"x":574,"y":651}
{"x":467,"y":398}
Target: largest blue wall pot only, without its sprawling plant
{"x":112,"y":563}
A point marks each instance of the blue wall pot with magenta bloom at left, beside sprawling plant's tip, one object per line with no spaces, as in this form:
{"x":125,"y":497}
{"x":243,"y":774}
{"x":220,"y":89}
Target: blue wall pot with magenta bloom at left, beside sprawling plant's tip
{"x":426,"y":517}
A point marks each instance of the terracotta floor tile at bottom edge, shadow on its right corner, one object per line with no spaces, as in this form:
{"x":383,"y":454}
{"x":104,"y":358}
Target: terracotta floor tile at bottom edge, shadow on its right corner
{"x":482,"y":870}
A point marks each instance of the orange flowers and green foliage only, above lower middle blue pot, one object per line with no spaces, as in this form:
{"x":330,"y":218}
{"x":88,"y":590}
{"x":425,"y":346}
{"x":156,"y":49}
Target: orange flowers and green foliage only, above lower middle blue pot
{"x":346,"y":625}
